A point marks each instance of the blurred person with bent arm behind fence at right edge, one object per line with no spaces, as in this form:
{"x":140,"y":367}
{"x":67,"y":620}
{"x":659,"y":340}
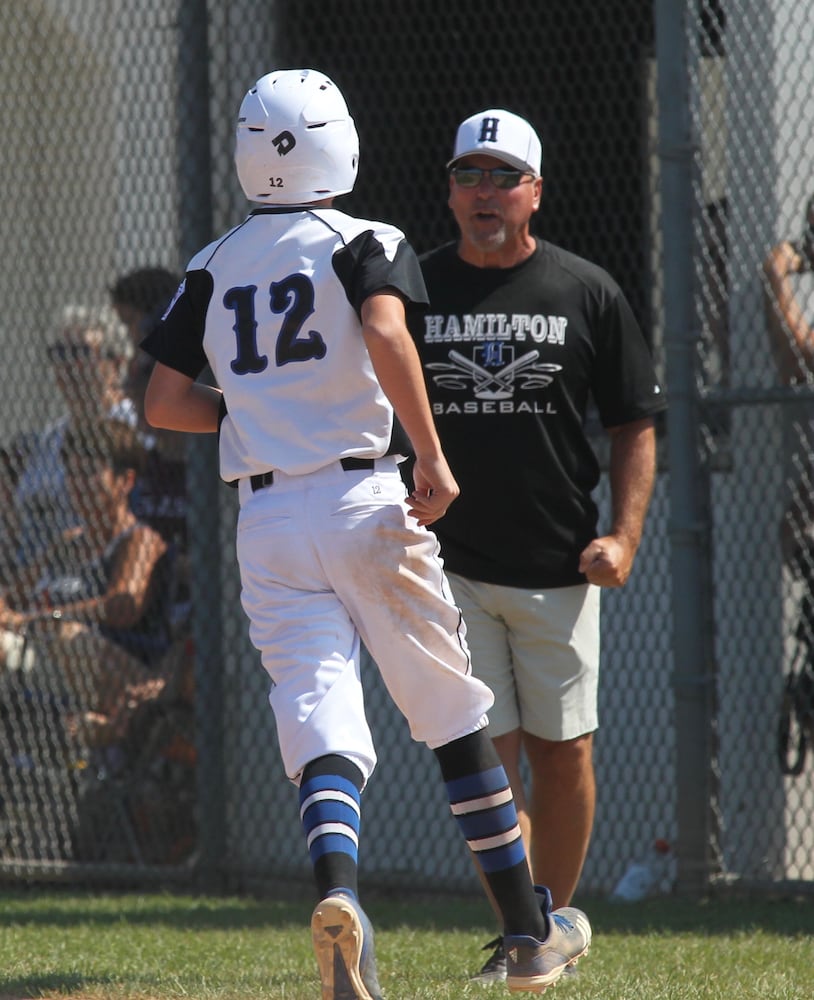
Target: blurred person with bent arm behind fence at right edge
{"x":789,"y":300}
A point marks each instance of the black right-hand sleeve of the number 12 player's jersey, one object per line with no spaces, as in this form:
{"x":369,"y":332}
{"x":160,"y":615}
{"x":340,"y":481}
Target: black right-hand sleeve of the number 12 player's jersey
{"x":364,"y":268}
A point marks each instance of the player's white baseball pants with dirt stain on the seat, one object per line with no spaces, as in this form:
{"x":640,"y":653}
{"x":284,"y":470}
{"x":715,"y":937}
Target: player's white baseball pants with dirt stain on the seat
{"x":333,"y":556}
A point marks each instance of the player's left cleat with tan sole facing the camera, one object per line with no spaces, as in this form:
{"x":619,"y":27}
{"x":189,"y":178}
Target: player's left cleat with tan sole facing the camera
{"x":343,"y":944}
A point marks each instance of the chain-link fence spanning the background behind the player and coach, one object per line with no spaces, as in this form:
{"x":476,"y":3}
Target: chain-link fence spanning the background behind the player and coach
{"x":677,"y":149}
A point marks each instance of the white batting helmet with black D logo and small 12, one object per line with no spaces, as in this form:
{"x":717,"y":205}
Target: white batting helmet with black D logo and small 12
{"x":296,"y":141}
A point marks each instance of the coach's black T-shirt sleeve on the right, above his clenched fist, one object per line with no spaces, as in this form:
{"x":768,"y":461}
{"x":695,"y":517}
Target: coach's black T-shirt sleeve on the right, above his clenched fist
{"x":624,"y":384}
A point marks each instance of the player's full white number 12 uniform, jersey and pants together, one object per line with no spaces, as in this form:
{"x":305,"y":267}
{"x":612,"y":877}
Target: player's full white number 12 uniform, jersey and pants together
{"x":274,"y":308}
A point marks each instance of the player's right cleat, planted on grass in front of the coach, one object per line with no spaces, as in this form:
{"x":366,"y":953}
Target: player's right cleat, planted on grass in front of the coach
{"x":531,"y":965}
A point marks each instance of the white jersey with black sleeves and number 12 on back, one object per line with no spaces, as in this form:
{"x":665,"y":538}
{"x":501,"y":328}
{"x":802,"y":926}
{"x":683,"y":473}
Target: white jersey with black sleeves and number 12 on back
{"x":298,"y":384}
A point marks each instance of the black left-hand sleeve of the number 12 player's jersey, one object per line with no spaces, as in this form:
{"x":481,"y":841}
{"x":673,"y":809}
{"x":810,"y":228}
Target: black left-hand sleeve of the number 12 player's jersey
{"x":177,"y":340}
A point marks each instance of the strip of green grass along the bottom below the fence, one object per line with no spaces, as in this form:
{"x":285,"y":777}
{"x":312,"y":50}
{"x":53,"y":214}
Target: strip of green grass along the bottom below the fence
{"x":115,"y":946}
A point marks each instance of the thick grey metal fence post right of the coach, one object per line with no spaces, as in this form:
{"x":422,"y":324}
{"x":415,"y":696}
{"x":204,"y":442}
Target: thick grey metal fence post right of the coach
{"x":694,"y":670}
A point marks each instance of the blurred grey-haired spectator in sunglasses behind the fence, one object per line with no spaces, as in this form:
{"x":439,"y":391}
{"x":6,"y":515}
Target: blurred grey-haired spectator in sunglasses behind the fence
{"x":87,"y":358}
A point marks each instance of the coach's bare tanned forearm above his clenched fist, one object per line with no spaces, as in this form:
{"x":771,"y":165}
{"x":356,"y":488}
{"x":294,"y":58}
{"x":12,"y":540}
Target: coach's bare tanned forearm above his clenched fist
{"x":632,"y":476}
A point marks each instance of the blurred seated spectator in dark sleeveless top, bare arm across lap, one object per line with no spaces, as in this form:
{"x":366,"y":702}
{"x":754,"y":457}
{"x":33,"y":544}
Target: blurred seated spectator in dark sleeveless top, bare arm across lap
{"x":93,"y":606}
